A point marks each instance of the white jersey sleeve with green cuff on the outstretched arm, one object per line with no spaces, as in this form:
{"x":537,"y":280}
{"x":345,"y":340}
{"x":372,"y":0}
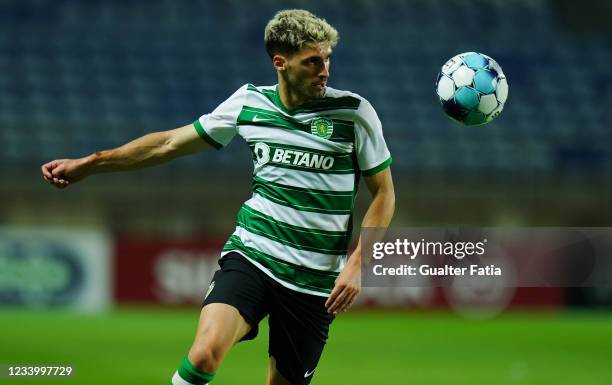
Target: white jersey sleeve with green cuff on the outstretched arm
{"x":219,"y":127}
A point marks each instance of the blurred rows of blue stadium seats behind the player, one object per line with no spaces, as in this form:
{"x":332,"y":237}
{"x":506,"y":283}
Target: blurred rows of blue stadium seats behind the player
{"x":114,"y":70}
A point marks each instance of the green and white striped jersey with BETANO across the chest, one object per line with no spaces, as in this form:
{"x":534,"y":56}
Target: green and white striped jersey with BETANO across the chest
{"x":297,"y":225}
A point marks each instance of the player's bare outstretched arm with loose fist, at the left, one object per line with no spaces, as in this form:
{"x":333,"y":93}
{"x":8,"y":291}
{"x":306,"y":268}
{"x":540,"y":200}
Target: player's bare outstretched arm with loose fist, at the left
{"x":146,"y":151}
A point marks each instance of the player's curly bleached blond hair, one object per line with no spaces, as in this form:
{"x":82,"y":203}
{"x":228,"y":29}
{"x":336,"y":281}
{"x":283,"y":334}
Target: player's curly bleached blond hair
{"x":291,"y":30}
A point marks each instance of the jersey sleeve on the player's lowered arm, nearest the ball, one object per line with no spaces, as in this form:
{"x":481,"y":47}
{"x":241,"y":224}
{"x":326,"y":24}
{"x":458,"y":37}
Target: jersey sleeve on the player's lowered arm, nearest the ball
{"x":370,"y":147}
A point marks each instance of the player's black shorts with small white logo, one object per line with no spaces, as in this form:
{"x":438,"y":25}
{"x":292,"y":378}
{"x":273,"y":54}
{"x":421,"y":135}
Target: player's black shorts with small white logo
{"x":299,"y":323}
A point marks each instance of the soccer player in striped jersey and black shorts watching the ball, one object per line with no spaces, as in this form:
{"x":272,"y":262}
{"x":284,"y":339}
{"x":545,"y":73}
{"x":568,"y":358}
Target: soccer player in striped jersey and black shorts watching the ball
{"x":287,"y":257}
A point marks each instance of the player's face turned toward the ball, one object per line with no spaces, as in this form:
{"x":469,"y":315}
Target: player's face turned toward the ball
{"x":306,"y":72}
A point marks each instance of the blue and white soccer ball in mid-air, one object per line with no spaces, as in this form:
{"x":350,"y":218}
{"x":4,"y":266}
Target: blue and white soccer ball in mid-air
{"x":472,"y":88}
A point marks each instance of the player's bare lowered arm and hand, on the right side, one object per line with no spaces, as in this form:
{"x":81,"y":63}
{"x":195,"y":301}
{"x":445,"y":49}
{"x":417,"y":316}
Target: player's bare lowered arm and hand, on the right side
{"x":379,"y":214}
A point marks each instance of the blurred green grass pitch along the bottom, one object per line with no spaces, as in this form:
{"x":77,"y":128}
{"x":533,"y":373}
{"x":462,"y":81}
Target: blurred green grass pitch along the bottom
{"x":144,"y":346}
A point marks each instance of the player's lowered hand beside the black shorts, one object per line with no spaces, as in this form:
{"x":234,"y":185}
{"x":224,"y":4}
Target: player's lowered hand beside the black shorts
{"x":348,"y":286}
